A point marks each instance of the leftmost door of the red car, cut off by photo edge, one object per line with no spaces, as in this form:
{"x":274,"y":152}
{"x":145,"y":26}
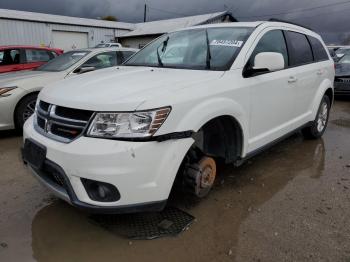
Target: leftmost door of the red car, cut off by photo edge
{"x":11,"y":60}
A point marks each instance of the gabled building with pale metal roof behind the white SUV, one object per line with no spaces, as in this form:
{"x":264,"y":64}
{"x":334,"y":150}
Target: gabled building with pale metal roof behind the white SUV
{"x":146,"y":32}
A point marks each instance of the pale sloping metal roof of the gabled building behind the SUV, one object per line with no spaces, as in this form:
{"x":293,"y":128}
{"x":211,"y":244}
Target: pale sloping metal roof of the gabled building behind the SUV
{"x":168,"y":25}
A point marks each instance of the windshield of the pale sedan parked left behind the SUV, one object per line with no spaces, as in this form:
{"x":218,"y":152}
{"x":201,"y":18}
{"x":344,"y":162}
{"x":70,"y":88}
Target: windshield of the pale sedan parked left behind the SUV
{"x":63,"y":62}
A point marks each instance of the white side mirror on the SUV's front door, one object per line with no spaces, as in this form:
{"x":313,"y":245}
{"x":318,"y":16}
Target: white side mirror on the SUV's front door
{"x":270,"y":61}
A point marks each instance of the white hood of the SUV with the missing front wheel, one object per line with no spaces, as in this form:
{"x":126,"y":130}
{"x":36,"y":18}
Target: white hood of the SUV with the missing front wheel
{"x":122,"y":88}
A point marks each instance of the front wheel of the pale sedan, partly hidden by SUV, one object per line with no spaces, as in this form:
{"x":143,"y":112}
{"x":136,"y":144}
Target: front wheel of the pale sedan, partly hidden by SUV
{"x":25,"y":108}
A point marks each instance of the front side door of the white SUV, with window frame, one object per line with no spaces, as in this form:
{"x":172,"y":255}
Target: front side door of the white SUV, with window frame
{"x":272,"y":94}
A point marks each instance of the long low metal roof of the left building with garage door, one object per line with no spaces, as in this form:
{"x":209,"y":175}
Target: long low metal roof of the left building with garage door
{"x":59,"y":19}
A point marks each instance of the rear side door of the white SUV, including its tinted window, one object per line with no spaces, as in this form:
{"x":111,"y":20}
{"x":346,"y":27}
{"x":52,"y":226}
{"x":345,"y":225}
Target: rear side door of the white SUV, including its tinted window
{"x":305,"y":73}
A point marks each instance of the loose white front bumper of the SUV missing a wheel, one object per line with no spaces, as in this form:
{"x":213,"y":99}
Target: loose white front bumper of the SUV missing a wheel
{"x":143,"y":172}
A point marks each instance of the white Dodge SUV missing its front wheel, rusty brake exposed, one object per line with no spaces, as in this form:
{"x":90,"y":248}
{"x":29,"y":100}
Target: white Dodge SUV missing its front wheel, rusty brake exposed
{"x":116,"y":140}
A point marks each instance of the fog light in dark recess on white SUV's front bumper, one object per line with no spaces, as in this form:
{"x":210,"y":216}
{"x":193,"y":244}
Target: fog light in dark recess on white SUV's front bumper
{"x":100,"y":191}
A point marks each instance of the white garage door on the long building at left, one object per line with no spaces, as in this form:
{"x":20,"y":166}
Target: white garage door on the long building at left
{"x":69,"y":40}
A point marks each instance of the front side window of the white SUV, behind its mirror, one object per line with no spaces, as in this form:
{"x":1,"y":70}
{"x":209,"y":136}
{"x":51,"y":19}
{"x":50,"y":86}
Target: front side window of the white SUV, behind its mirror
{"x":272,"y":41}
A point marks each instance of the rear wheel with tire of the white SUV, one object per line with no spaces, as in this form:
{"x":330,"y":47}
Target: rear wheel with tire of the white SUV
{"x":319,"y":125}
